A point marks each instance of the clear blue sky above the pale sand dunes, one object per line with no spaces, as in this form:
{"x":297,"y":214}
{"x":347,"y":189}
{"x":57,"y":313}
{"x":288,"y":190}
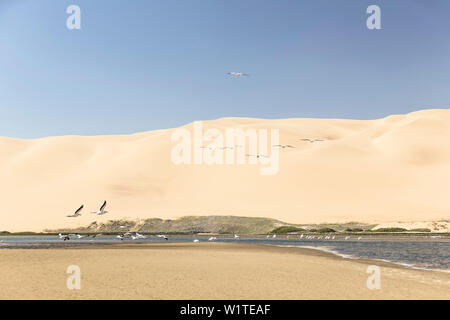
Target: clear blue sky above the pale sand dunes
{"x":143,"y":65}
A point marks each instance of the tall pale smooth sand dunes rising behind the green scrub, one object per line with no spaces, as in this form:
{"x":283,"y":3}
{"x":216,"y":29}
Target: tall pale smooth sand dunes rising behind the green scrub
{"x":385,"y":170}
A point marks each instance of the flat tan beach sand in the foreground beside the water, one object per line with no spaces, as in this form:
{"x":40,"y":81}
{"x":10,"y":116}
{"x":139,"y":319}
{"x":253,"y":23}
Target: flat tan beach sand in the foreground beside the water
{"x":207,"y":271}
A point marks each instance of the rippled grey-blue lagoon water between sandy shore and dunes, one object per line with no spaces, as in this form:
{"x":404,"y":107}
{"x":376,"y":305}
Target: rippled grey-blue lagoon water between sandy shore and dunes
{"x":417,"y":252}
